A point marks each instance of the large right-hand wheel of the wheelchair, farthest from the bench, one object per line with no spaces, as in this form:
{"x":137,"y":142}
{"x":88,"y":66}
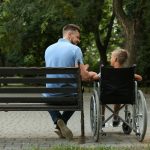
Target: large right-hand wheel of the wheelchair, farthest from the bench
{"x":140,"y":120}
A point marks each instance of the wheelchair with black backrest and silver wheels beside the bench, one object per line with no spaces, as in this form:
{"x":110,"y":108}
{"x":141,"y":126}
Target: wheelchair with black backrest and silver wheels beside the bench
{"x":118,"y":86}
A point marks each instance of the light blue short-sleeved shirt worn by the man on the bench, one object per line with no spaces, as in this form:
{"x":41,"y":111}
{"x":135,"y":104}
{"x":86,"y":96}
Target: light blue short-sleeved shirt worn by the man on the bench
{"x":62,"y":54}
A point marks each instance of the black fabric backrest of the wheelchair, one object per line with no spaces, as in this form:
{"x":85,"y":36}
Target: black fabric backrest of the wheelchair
{"x":117,"y":85}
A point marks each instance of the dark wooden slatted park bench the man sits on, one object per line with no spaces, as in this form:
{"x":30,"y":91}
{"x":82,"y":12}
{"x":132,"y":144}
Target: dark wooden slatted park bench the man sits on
{"x":24,"y":82}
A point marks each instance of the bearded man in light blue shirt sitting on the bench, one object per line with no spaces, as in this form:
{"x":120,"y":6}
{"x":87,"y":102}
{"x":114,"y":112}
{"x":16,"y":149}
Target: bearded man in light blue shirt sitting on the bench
{"x":65,"y":53}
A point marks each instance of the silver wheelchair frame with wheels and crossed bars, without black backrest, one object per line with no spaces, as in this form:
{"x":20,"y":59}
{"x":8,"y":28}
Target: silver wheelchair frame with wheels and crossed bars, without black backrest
{"x":134,"y":120}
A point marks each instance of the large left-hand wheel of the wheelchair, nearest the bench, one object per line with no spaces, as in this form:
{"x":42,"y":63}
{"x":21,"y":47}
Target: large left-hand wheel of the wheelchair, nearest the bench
{"x":95,"y":115}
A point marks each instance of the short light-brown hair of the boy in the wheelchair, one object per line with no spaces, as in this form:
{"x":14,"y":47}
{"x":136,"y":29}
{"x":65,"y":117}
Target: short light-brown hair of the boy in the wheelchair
{"x":121,"y":55}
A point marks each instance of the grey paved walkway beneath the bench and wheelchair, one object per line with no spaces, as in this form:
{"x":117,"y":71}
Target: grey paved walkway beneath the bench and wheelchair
{"x":34,"y":129}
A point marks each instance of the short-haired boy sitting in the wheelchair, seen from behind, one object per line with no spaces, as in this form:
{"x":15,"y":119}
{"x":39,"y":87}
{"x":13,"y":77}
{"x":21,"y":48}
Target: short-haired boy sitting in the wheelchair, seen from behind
{"x":118,"y":59}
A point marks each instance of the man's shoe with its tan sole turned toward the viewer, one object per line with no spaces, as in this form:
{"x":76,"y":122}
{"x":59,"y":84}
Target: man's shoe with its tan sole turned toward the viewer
{"x":66,"y":132}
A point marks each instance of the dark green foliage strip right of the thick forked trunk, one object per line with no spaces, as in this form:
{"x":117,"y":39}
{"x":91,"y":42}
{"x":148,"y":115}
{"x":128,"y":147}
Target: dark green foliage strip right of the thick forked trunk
{"x":143,"y":53}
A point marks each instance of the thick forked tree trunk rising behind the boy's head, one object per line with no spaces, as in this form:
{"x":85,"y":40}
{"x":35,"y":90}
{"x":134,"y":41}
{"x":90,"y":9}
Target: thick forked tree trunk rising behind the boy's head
{"x":130,"y":26}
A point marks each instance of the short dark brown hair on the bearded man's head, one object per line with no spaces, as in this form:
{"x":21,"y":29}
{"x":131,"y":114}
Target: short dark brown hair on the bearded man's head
{"x":71,"y":27}
